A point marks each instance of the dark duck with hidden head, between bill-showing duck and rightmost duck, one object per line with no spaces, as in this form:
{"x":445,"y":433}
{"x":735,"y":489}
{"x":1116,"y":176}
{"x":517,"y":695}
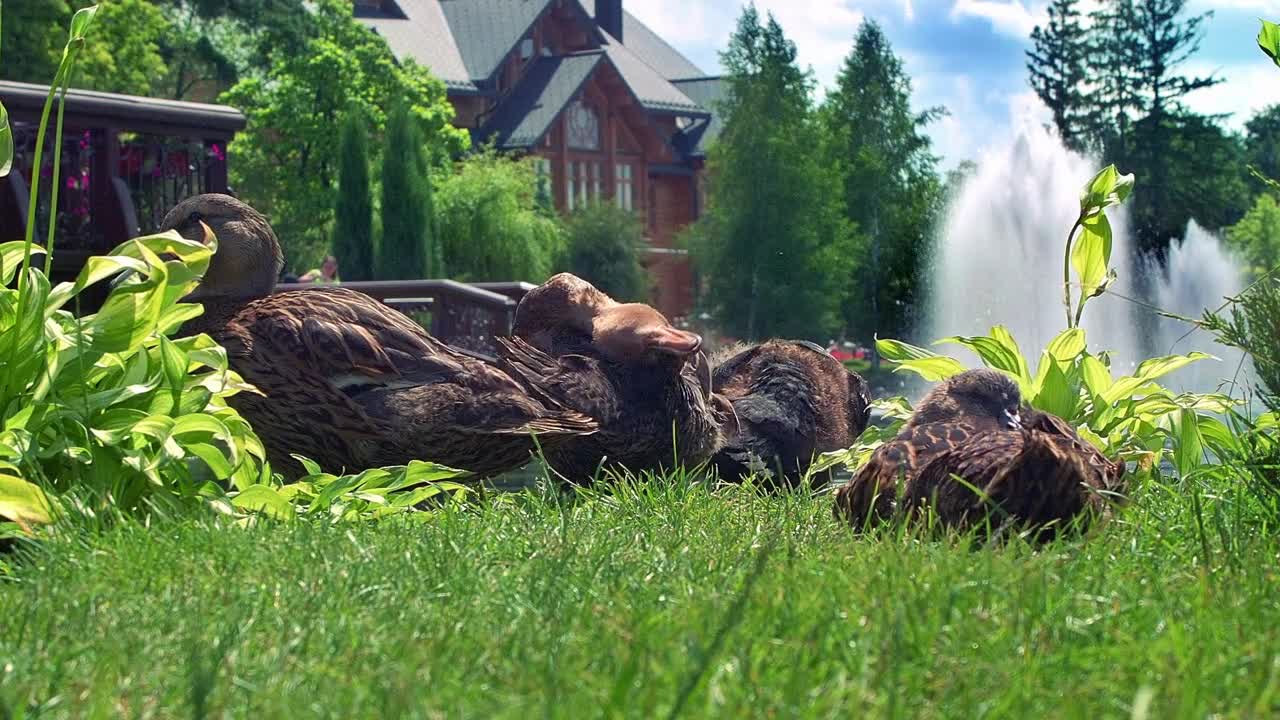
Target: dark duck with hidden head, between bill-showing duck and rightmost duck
{"x":792,"y":402}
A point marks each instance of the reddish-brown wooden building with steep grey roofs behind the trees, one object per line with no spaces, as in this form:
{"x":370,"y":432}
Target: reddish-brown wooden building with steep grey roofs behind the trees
{"x":611,"y":111}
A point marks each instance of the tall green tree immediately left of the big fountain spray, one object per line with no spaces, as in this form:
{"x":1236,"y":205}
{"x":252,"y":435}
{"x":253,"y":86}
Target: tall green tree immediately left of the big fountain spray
{"x":892,"y":189}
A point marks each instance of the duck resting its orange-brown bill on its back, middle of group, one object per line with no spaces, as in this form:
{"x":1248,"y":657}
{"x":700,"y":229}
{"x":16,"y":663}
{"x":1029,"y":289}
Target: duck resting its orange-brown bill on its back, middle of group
{"x":646,"y":382}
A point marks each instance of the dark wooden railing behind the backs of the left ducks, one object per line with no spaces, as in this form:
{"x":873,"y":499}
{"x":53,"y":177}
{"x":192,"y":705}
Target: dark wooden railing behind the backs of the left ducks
{"x":468,"y":317}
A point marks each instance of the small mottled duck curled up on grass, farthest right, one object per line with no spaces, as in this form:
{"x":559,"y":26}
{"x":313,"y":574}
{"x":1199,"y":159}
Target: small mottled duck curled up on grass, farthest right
{"x":979,"y":459}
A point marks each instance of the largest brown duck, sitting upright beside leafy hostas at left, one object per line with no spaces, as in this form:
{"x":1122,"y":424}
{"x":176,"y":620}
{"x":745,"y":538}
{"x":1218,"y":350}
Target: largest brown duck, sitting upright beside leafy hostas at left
{"x":345,"y":380}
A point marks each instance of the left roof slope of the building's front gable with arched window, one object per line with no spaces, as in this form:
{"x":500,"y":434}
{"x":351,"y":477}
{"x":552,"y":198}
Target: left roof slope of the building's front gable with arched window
{"x":546,"y":90}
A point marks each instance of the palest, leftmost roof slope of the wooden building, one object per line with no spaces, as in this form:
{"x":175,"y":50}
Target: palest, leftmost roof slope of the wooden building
{"x":423,"y":34}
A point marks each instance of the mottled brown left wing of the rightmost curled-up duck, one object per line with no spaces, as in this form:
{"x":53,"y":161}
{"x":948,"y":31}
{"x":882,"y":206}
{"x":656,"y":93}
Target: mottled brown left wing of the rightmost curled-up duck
{"x":872,"y":495}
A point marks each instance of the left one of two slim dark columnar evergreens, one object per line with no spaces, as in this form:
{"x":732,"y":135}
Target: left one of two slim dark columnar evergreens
{"x":354,"y":217}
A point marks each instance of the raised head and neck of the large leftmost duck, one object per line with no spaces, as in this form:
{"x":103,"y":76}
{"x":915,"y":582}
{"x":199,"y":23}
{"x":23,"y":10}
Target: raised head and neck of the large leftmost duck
{"x":249,"y":257}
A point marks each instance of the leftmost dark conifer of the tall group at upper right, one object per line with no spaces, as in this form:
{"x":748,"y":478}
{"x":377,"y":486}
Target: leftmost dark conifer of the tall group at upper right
{"x":1057,"y":65}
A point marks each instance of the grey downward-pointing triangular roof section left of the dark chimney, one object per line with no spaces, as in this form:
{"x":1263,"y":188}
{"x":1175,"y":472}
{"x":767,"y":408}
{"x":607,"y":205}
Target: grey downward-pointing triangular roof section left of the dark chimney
{"x":486,"y":31}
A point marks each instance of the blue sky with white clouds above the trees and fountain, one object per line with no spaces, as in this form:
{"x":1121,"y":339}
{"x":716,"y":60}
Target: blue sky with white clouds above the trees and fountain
{"x":968,"y":56}
